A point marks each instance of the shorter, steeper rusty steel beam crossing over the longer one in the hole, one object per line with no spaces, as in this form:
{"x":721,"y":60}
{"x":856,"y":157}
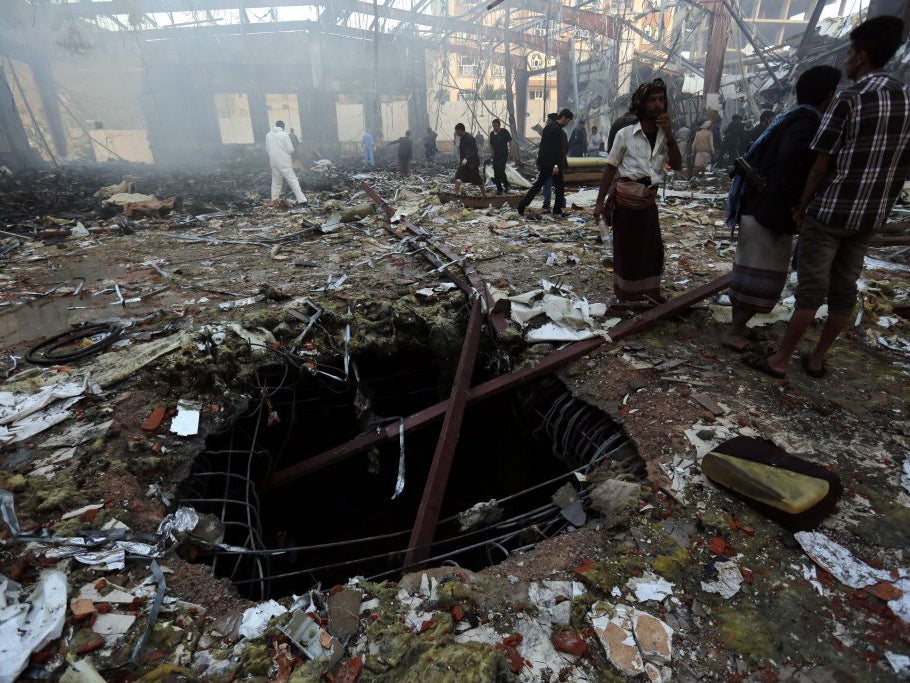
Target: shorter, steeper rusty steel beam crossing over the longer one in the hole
{"x":435,"y":487}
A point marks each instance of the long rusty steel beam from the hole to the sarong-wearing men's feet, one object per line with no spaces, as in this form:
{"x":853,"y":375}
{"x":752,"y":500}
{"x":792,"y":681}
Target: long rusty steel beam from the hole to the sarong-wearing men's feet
{"x":492,"y":387}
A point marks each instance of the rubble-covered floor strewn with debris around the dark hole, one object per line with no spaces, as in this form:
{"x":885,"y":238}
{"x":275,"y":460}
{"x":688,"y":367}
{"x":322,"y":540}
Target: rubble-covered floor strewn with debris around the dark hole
{"x":219,"y":287}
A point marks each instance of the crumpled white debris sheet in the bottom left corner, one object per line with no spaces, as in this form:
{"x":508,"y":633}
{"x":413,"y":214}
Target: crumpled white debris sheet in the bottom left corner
{"x":29,"y":626}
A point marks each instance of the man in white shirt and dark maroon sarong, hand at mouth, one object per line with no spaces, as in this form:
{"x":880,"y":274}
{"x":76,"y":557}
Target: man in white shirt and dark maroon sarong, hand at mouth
{"x":636,"y":163}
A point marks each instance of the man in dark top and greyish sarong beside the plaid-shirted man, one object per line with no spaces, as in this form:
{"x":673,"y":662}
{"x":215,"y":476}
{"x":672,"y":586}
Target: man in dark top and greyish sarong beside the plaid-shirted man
{"x":780,"y":158}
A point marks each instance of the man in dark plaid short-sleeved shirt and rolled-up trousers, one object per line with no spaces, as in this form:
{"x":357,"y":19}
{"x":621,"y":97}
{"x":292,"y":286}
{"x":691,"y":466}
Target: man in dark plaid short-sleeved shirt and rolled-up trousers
{"x":862,"y":159}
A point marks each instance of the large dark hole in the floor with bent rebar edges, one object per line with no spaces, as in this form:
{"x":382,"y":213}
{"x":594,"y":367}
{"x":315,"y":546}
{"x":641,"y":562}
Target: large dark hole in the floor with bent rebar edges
{"x":517,"y":448}
